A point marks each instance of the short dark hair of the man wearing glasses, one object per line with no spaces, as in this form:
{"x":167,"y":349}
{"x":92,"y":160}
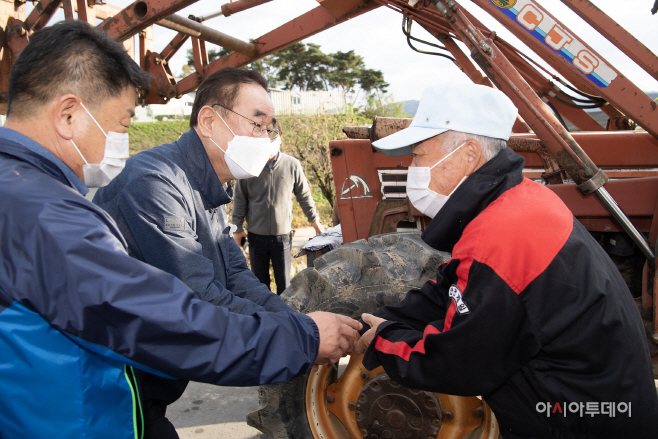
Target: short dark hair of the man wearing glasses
{"x":222,"y":88}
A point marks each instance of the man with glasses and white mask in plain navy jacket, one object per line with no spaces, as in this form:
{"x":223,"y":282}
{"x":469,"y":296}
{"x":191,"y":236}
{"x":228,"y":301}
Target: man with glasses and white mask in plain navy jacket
{"x":169,"y":203}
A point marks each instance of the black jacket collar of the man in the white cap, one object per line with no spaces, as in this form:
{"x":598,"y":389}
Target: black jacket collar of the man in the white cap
{"x":474,"y":195}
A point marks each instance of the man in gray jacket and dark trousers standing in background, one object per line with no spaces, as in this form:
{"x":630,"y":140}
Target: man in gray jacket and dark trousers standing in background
{"x":266,"y":202}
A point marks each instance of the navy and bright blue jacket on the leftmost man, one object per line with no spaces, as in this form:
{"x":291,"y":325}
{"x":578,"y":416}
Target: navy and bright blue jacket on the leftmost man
{"x":76,"y":311}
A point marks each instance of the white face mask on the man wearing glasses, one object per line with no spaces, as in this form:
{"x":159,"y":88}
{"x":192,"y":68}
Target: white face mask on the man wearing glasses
{"x":246,"y":156}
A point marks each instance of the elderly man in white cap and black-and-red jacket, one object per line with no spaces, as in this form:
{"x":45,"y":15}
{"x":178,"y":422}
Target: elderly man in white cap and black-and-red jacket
{"x":529,"y":312}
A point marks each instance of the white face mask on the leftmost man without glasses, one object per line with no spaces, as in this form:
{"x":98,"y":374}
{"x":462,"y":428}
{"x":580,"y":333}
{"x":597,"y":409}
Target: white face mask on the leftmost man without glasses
{"x":117,"y":150}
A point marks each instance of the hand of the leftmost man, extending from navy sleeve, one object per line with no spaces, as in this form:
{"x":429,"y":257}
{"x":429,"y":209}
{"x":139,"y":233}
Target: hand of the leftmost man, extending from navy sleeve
{"x":337,"y":335}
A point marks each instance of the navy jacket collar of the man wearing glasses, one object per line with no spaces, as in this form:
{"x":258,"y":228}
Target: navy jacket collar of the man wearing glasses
{"x":201,"y":170}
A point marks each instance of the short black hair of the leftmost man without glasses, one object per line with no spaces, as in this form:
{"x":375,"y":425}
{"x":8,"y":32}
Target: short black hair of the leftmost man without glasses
{"x":71,"y":57}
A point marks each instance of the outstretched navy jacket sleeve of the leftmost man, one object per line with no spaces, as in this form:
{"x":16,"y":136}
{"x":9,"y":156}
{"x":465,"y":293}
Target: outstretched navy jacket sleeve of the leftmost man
{"x":78,"y":276}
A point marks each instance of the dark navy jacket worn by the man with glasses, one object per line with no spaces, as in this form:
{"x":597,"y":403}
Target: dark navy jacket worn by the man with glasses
{"x":169,"y":206}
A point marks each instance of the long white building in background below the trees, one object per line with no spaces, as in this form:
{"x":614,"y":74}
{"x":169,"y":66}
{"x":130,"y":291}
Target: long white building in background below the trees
{"x":288,"y":102}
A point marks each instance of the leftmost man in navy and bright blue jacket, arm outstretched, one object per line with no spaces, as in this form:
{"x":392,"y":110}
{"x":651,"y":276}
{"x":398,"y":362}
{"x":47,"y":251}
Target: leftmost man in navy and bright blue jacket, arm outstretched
{"x":77,"y":314}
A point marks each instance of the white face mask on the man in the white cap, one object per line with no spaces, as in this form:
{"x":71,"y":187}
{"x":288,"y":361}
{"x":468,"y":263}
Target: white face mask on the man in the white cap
{"x":421,"y":196}
